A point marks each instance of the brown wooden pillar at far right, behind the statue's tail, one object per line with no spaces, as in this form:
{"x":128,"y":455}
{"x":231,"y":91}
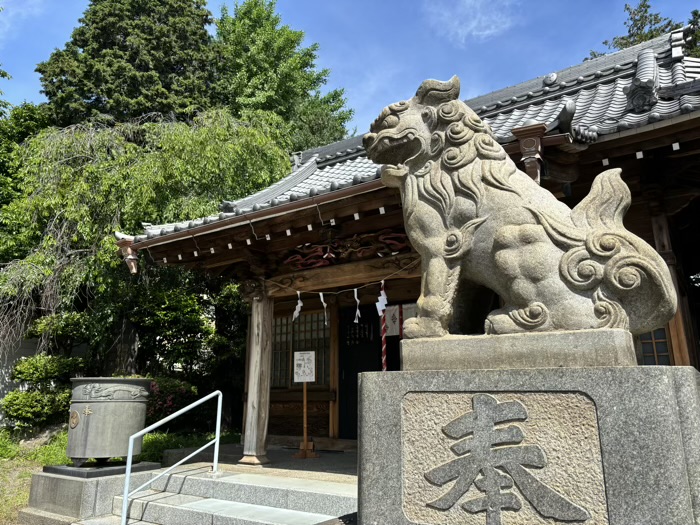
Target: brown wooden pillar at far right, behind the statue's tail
{"x":677,"y":325}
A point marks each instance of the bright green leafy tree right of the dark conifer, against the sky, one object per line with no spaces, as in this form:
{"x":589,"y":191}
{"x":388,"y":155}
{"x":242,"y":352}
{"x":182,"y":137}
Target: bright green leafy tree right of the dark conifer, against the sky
{"x":262,"y":65}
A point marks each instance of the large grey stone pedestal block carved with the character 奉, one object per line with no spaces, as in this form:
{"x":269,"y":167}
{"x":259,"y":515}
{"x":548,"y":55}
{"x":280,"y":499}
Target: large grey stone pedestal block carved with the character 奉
{"x":606,"y":445}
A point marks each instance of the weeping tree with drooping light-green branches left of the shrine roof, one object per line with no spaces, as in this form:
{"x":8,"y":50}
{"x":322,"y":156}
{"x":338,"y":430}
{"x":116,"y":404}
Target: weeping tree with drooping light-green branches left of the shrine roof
{"x":62,"y":278}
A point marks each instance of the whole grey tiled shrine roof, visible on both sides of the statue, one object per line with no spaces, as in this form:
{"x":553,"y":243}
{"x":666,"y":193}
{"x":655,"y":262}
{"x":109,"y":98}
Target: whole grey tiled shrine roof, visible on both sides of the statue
{"x":600,"y":96}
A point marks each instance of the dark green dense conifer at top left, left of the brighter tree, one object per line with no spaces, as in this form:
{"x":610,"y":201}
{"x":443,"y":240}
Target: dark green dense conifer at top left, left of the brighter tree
{"x":128,"y":58}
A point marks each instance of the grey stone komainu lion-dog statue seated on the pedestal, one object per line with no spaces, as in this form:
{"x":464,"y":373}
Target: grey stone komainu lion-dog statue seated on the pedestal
{"x":480,"y":224}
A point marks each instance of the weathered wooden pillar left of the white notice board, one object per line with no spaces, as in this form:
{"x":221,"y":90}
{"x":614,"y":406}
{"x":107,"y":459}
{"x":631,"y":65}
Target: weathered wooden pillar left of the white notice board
{"x":259,"y":359}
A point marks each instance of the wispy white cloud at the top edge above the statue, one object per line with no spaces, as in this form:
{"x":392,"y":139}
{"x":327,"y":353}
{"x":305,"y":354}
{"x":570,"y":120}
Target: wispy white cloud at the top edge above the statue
{"x":463,"y":20}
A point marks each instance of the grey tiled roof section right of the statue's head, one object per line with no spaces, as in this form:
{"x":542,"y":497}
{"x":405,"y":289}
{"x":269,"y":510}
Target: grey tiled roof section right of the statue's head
{"x":601,"y":90}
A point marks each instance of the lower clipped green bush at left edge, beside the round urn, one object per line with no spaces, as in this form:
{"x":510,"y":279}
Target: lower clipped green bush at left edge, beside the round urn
{"x":35,"y":408}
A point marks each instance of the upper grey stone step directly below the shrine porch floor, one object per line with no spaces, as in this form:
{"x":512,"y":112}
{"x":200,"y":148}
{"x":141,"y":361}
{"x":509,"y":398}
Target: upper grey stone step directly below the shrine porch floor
{"x":287,"y":492}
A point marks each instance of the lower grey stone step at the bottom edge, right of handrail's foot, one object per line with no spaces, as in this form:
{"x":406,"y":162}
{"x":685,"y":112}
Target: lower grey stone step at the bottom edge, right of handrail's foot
{"x":165,"y":508}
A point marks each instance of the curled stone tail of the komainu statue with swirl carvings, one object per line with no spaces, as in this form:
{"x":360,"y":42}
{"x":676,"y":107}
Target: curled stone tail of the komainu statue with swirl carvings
{"x":627,"y":280}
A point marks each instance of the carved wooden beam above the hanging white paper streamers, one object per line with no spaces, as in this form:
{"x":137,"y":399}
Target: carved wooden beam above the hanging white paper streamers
{"x":350,"y":274}
